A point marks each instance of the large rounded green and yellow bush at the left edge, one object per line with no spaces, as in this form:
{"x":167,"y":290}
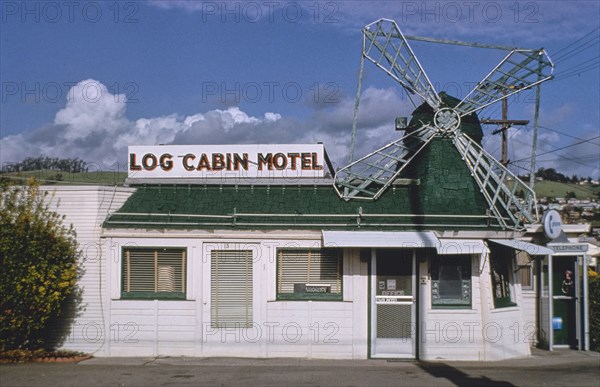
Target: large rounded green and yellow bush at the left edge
{"x":38,"y":267}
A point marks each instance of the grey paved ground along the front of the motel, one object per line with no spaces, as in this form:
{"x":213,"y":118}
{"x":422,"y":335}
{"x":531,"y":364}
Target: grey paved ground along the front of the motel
{"x":560,"y":368}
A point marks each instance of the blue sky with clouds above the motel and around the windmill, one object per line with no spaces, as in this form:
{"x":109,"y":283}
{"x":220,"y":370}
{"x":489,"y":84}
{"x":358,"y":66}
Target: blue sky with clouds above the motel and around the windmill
{"x":87,"y":79}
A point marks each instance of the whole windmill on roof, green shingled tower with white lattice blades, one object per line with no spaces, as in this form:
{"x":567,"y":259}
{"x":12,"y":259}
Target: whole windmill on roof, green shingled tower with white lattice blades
{"x":441,"y":147}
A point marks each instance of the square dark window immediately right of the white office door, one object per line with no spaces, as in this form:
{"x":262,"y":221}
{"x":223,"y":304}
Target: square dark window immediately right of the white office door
{"x":451,"y":281}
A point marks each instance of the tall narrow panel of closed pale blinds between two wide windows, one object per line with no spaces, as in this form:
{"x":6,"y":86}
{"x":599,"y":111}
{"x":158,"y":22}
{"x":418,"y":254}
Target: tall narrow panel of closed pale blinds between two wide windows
{"x":231,"y":288}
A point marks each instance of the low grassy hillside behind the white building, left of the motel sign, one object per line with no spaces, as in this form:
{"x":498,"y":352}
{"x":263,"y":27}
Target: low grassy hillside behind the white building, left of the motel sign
{"x":50,"y":177}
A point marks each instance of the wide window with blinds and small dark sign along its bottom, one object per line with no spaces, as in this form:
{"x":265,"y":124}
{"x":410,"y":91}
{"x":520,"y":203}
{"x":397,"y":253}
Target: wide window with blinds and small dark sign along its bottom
{"x":309,"y":274}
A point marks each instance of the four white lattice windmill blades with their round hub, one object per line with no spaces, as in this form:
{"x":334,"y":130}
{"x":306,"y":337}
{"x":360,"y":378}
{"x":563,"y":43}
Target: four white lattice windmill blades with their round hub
{"x":368,"y":177}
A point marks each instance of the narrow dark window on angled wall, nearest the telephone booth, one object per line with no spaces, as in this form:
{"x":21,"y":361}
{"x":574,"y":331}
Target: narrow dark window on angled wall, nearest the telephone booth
{"x":501,"y":267}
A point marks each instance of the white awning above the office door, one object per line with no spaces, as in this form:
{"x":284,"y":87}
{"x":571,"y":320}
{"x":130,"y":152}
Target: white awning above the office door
{"x":379,"y":239}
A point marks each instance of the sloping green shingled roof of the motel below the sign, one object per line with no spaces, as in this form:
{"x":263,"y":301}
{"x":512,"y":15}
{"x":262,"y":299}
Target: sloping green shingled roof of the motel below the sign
{"x":277,"y":207}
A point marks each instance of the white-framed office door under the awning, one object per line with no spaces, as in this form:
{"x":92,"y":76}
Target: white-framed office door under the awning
{"x":393,"y":327}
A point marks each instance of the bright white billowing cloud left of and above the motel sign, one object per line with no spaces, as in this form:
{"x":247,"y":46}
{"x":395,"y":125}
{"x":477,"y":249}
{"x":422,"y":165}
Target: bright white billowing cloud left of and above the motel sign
{"x":93,"y":126}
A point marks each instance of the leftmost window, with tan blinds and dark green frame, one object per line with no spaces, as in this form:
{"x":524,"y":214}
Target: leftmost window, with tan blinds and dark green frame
{"x":153,"y":273}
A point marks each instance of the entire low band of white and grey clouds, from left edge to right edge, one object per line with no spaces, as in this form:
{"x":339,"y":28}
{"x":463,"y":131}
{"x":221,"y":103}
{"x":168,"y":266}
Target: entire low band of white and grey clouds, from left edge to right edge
{"x":98,"y":131}
